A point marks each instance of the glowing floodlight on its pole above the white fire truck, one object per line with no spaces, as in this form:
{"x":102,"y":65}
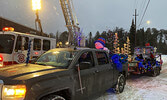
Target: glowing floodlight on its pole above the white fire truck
{"x":36,"y":6}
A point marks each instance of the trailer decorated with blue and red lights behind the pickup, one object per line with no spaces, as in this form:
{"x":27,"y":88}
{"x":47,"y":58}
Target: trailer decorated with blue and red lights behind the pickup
{"x":145,"y":60}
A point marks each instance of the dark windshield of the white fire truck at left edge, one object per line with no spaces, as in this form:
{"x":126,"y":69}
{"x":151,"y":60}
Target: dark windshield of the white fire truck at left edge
{"x":6,"y":43}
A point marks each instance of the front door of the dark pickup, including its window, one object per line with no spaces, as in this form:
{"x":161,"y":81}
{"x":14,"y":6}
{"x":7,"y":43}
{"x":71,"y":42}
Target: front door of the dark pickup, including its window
{"x":85,"y":81}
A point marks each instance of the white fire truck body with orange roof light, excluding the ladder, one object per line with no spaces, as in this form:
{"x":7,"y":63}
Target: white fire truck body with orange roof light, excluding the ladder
{"x":14,"y":46}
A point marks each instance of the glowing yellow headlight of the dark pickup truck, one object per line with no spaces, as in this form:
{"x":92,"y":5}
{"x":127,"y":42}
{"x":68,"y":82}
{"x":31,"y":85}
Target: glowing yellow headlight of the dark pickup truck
{"x":13,"y":92}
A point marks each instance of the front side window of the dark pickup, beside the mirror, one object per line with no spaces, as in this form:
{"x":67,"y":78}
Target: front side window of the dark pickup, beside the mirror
{"x":87,"y":57}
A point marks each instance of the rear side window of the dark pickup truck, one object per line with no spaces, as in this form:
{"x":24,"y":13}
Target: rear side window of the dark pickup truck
{"x":102,"y":58}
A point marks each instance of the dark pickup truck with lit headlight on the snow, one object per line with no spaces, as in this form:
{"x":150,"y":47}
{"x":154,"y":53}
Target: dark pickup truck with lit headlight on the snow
{"x":62,"y":74}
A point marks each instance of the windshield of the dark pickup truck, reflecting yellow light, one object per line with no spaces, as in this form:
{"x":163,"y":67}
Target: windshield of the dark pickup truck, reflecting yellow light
{"x":57,"y":58}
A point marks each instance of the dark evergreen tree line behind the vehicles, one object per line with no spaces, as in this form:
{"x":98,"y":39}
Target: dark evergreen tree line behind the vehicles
{"x":153,"y":36}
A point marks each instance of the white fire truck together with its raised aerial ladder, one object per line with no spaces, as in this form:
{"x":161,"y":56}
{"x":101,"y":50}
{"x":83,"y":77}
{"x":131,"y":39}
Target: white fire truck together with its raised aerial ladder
{"x":18,"y":42}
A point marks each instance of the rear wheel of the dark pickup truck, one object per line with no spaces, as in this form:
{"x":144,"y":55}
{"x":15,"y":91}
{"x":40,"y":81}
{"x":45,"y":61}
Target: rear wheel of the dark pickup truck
{"x":120,"y":84}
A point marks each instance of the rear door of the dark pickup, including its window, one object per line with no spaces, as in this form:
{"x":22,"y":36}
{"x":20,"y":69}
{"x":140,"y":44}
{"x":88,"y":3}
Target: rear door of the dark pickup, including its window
{"x":104,"y":73}
